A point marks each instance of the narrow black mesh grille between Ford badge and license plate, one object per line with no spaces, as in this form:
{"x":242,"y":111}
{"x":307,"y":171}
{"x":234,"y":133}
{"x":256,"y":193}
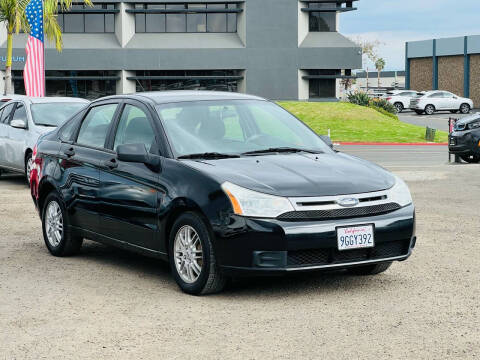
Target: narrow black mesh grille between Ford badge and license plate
{"x":339,"y":213}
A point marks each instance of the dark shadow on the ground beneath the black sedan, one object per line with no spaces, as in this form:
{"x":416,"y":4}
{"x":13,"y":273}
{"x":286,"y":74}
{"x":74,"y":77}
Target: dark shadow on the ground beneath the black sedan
{"x":324,"y":282}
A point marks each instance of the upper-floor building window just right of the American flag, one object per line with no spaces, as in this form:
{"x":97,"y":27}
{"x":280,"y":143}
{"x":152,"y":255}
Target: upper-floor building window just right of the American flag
{"x":86,"y":19}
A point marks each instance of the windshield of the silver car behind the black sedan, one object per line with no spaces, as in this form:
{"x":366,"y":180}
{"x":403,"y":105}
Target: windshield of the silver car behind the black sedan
{"x":55,"y":113}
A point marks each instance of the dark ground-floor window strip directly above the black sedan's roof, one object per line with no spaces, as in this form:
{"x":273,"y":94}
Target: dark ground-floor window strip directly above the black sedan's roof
{"x":218,"y":80}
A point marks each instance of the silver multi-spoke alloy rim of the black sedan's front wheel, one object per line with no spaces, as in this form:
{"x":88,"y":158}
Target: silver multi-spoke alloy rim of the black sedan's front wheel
{"x":188,"y":254}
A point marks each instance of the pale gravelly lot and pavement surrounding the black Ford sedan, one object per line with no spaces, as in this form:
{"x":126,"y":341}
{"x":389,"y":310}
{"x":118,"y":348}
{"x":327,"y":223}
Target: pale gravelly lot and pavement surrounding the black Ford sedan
{"x":106,"y":303}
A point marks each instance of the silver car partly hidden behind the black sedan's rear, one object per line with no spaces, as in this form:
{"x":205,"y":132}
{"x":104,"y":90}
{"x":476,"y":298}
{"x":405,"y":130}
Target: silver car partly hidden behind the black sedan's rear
{"x":23,"y":120}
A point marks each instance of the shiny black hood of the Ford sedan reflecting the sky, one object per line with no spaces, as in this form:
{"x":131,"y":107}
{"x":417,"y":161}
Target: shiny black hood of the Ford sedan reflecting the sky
{"x":299,"y":175}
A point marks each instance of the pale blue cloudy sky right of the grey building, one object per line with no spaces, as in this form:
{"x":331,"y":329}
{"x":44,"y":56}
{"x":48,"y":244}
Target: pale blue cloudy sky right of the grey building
{"x":393,"y":22}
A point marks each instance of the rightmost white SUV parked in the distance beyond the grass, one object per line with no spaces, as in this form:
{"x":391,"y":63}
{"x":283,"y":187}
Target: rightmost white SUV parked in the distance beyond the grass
{"x":436,"y":100}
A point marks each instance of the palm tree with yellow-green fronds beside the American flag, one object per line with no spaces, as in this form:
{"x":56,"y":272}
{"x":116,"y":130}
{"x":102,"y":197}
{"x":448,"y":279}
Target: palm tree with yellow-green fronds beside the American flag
{"x":12,"y":14}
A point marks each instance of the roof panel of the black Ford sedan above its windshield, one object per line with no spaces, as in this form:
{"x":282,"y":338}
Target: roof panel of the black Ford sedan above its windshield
{"x":165,"y":97}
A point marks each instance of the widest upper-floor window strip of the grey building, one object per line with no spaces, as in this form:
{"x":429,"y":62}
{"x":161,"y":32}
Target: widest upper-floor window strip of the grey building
{"x":186,"y":17}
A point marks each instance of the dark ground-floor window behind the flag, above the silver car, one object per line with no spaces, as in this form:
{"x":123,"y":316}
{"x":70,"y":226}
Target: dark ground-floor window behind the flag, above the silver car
{"x":85,"y":84}
